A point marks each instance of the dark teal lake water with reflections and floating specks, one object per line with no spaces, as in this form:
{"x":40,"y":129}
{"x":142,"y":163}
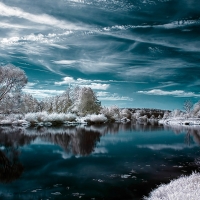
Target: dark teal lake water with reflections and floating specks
{"x":117,"y":161}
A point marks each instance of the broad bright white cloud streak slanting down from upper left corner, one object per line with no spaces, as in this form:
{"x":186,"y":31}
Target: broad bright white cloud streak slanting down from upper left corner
{"x":45,"y":19}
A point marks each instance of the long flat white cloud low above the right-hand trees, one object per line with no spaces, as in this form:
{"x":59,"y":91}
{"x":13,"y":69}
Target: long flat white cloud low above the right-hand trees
{"x":176,"y":93}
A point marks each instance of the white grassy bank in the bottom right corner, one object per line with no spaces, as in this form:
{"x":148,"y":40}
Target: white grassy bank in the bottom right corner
{"x":183,"y":188}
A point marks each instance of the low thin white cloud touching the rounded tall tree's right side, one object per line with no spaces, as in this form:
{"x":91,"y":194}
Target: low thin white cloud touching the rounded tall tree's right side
{"x":112,"y":97}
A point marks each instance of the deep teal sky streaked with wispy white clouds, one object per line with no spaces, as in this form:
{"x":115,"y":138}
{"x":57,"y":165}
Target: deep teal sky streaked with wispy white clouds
{"x":132,"y":53}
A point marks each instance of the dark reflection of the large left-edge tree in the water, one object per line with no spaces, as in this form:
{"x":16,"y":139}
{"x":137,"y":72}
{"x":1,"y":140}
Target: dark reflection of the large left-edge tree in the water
{"x":10,"y":140}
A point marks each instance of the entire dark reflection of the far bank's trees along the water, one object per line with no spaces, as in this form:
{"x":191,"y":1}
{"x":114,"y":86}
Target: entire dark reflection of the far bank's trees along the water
{"x":78,"y":140}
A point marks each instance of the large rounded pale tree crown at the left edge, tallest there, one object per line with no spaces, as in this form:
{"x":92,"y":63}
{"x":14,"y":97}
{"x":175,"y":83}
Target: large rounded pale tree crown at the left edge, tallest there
{"x":12,"y":79}
